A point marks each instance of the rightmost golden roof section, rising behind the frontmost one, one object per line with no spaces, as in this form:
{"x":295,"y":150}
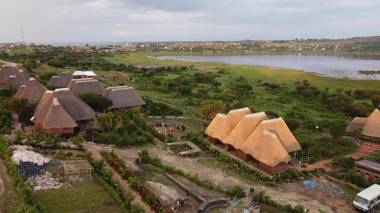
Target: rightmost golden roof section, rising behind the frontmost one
{"x":281,"y":129}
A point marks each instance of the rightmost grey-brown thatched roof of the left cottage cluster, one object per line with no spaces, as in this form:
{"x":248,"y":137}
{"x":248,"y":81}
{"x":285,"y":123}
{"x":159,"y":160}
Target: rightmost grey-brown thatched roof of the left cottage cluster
{"x":123,"y":97}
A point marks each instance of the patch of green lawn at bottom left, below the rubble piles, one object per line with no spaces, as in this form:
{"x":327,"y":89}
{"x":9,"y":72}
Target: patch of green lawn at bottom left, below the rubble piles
{"x":85,"y":197}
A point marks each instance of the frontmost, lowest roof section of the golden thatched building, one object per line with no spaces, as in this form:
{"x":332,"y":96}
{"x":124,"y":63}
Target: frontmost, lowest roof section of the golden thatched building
{"x":266,"y":147}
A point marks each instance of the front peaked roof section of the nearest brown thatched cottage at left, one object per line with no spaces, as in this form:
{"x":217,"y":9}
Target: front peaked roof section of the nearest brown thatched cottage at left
{"x":57,"y":118}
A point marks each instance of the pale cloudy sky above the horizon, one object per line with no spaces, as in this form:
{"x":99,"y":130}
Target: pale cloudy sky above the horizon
{"x":49,"y":21}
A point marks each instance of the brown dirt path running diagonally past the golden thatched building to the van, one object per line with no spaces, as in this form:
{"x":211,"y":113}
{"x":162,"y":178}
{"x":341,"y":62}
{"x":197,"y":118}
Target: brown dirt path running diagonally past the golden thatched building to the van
{"x":285,"y":194}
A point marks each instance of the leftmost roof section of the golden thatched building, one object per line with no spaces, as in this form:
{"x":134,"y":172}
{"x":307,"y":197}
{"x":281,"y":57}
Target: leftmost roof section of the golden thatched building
{"x":222,"y":125}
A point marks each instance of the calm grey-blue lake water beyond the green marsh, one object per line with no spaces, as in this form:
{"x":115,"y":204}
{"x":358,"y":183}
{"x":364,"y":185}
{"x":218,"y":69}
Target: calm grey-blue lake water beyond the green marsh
{"x":334,"y":66}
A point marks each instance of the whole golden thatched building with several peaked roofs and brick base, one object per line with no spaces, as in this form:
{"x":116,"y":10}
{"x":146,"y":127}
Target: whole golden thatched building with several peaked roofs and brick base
{"x":267,"y":144}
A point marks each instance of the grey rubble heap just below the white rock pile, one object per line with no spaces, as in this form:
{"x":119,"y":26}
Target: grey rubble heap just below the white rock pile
{"x":45,"y":182}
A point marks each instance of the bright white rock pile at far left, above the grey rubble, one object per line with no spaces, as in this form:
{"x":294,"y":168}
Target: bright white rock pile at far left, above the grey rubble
{"x":24,"y":154}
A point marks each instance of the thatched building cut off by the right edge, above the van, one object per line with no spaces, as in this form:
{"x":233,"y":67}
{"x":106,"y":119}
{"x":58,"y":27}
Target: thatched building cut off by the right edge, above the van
{"x":368,"y":128}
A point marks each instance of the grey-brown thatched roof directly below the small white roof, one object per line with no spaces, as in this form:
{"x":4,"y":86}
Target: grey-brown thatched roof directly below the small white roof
{"x":82,"y":86}
